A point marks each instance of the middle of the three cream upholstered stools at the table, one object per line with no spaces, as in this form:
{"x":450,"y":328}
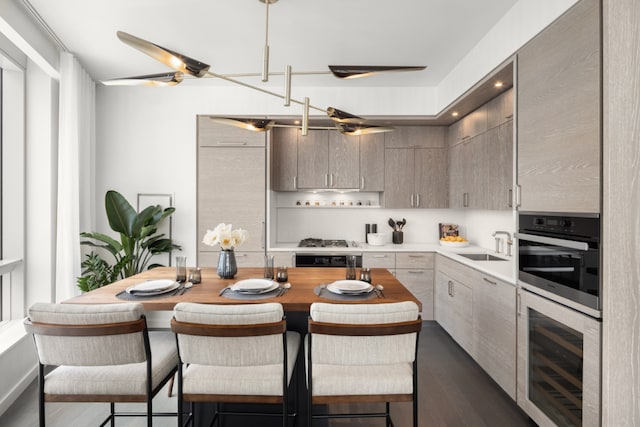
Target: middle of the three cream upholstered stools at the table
{"x":234,"y":353}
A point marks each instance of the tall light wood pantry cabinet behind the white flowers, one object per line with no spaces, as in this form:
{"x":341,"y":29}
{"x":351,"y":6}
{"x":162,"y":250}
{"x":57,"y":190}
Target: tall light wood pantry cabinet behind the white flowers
{"x":230,"y":189}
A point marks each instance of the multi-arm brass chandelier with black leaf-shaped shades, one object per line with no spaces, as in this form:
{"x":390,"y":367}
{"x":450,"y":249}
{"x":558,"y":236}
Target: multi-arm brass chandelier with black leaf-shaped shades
{"x":185,"y":66}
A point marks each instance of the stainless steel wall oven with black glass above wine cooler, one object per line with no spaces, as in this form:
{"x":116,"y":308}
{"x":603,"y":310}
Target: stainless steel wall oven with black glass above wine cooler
{"x":560,"y":253}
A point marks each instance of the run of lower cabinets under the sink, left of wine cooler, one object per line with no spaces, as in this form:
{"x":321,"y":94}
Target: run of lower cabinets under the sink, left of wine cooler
{"x":479,"y":312}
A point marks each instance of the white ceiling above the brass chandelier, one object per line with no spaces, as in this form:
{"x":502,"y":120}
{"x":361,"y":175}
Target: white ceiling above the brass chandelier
{"x":306,"y":34}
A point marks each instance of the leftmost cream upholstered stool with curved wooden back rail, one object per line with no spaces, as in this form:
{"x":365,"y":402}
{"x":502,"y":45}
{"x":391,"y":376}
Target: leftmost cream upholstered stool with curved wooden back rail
{"x":102,"y":353}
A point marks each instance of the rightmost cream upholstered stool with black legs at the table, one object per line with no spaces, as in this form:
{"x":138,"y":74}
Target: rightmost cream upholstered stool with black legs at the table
{"x":362,"y":353}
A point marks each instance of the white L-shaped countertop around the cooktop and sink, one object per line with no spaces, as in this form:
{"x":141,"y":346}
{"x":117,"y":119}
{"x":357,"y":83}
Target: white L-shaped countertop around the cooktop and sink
{"x":503,"y":270}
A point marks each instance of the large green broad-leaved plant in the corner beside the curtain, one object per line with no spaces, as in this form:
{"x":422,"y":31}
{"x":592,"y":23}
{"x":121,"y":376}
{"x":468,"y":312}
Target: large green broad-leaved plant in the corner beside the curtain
{"x":139,"y":241}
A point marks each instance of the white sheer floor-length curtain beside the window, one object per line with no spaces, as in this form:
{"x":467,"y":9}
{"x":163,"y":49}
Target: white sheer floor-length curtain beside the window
{"x":75,"y":171}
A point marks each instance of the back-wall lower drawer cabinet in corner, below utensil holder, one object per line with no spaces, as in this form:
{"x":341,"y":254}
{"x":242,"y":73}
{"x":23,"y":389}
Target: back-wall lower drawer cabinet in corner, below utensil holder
{"x":415,"y":271}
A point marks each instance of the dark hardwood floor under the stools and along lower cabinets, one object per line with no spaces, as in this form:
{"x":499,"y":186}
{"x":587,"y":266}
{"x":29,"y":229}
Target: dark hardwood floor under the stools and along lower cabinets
{"x":453,"y":392}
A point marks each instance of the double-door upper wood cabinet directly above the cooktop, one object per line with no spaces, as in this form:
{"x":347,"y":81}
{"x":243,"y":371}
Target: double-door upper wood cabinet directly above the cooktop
{"x":328,"y":160}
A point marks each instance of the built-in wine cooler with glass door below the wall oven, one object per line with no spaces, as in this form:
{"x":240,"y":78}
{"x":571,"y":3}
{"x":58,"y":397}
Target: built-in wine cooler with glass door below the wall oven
{"x":558,"y":363}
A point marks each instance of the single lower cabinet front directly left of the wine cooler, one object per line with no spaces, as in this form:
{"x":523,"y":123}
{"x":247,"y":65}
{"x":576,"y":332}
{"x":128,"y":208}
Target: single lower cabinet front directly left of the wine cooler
{"x":494,"y":329}
